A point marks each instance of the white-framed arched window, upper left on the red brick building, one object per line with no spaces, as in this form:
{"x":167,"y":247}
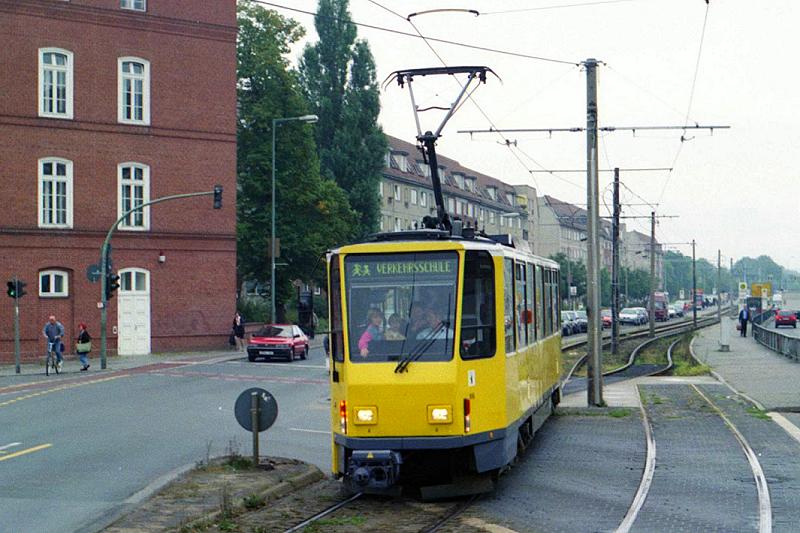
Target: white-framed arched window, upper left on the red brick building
{"x":55,"y":83}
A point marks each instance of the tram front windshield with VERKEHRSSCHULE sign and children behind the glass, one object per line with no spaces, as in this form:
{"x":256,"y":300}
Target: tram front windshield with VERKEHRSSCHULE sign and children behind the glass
{"x":401,"y":306}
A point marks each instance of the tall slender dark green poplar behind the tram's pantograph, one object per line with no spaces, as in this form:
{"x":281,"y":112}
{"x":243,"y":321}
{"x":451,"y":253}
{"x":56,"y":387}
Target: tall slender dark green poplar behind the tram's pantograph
{"x":338,"y":76}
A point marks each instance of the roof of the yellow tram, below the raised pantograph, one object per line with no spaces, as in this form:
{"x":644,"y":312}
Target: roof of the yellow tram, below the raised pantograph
{"x":429,"y":239}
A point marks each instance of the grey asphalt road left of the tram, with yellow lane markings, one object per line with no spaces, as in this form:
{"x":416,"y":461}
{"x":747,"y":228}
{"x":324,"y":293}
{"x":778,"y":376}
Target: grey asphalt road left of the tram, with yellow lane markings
{"x":77,"y":449}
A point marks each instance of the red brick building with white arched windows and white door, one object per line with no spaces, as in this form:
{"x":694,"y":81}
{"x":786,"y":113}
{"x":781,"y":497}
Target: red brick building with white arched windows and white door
{"x":106,"y":104}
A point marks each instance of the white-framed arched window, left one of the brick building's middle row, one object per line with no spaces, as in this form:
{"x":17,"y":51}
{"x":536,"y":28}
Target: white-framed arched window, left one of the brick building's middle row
{"x":55,"y":193}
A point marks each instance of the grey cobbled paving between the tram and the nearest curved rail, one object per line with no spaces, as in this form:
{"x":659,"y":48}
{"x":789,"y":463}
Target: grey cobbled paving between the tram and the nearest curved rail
{"x":580,"y":474}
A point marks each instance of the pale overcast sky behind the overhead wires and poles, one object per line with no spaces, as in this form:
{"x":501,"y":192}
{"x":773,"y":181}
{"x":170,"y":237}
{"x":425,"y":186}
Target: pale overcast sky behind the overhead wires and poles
{"x":736,"y":190}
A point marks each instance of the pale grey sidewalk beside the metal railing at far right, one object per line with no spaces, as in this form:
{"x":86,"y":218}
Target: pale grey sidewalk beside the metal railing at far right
{"x":765,"y":376}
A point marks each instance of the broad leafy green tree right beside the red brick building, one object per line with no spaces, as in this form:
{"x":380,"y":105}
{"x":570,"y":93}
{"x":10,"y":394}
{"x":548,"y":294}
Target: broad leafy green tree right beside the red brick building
{"x":313,"y":214}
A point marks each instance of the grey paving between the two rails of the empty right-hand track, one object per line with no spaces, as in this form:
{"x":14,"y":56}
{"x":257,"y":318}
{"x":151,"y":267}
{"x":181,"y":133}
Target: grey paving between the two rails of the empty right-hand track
{"x":702,"y":480}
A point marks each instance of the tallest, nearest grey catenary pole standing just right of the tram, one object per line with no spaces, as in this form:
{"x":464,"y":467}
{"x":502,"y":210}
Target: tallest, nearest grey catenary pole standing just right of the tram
{"x":594,"y":344}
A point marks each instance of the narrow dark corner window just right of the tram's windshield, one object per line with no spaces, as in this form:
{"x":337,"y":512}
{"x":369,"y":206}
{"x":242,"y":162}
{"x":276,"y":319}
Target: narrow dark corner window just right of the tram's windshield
{"x":478,"y":324}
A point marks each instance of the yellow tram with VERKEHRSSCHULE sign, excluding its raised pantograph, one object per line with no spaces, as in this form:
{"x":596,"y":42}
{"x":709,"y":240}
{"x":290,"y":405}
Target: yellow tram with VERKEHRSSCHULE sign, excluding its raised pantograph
{"x":445,"y":350}
